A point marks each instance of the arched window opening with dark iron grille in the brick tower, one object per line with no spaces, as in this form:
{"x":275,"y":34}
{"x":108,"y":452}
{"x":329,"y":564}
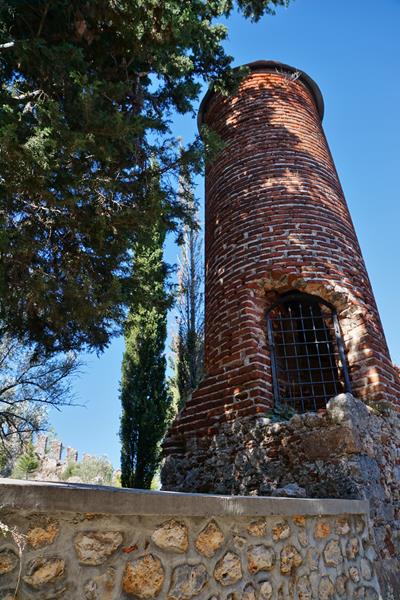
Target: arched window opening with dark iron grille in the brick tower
{"x":307,"y":352}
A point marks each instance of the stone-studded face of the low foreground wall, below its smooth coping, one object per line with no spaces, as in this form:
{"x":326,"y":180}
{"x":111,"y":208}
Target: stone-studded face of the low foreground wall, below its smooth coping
{"x":90,"y":556}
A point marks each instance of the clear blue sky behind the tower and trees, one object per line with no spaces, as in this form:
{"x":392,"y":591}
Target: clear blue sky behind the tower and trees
{"x":352,"y":50}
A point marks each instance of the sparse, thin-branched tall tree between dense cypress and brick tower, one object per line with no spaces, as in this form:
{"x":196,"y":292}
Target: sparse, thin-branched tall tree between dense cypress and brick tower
{"x":188,"y":343}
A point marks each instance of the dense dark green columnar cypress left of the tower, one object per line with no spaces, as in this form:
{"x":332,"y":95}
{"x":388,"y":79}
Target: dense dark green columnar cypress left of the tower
{"x":146,"y":403}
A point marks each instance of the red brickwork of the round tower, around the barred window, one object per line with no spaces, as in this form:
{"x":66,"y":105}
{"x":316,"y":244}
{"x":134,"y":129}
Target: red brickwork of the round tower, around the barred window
{"x":276,"y":219}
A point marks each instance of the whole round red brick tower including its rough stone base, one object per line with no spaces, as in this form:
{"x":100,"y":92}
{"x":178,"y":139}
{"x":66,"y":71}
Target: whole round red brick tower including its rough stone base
{"x":300,"y":396}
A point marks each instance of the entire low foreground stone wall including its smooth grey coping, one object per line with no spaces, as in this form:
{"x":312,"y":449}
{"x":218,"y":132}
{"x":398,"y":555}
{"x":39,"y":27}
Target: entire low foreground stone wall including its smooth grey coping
{"x":88,"y":543}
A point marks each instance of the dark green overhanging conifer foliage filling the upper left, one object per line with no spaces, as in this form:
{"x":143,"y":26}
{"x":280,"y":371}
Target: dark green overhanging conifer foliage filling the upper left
{"x":87,"y":90}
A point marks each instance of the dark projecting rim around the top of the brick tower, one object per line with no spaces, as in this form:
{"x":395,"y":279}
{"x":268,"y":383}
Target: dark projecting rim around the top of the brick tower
{"x":270,"y":66}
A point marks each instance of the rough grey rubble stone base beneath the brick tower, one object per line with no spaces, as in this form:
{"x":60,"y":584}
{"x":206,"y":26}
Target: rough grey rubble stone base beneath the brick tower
{"x":348,"y":451}
